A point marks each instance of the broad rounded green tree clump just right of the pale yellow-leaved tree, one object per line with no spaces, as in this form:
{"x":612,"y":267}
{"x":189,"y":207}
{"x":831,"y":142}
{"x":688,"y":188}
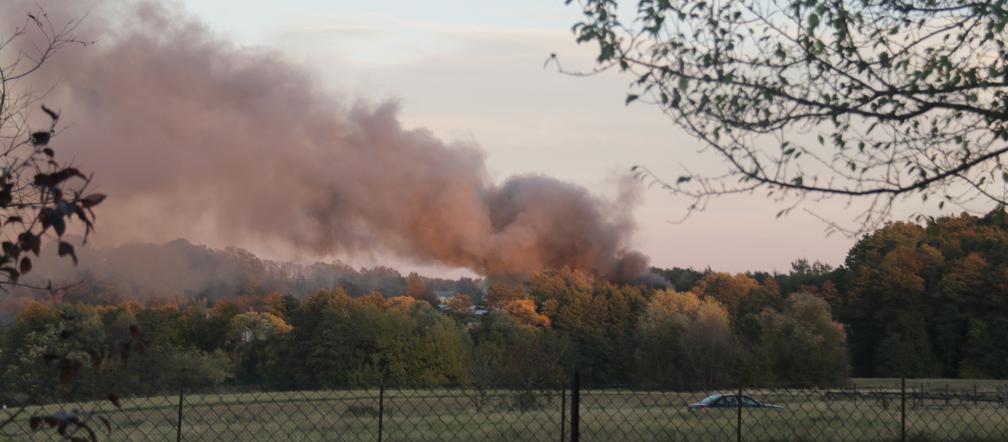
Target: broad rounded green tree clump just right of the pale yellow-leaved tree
{"x":337,"y":341}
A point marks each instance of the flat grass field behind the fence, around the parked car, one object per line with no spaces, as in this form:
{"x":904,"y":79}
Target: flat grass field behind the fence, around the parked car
{"x":607,"y":415}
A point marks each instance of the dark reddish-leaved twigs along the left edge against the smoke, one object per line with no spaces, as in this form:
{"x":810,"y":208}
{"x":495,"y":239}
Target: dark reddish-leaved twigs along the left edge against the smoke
{"x":41,"y":197}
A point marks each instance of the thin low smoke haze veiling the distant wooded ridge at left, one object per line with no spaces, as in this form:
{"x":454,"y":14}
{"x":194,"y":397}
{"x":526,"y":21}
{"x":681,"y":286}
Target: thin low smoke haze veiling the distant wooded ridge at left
{"x":180,"y":272}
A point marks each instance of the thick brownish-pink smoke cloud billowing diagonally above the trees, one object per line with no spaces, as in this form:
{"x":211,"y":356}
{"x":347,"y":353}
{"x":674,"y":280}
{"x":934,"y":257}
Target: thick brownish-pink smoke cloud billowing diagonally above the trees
{"x":193,"y":137}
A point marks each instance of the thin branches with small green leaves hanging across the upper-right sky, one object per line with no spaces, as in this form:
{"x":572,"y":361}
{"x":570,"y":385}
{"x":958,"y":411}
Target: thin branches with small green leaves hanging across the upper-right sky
{"x":871,"y":101}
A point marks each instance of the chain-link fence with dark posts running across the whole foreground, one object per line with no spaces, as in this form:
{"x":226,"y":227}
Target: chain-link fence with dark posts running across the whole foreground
{"x":884,"y":411}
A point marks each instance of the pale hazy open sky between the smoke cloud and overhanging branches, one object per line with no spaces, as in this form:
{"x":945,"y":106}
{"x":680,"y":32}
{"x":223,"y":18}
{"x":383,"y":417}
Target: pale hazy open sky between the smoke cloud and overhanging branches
{"x":474,"y":71}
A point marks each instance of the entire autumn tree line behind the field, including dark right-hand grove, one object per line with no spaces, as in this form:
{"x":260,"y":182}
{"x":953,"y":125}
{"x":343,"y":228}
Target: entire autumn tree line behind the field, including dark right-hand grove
{"x":910,"y":300}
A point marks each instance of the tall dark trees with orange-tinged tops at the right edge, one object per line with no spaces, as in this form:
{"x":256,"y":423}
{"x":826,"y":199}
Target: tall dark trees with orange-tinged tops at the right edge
{"x":929,"y":294}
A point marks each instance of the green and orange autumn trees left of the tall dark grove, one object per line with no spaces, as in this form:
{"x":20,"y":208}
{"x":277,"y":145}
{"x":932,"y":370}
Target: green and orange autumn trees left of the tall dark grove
{"x":535,"y":333}
